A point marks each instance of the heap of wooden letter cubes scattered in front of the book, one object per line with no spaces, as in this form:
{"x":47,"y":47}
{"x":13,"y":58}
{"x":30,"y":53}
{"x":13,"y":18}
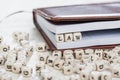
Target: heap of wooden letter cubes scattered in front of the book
{"x":80,"y":64}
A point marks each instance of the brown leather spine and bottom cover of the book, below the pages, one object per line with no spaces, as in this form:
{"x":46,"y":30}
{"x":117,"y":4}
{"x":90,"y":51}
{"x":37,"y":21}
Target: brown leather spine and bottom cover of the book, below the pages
{"x":51,"y":45}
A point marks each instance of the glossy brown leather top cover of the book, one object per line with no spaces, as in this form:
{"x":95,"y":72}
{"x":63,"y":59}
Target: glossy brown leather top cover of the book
{"x":75,"y":12}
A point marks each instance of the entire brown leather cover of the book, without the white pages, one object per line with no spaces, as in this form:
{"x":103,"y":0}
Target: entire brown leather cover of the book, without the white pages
{"x":78,"y":13}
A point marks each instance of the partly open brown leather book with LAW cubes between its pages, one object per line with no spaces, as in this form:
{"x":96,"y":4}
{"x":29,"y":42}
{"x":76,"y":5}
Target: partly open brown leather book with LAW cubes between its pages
{"x":79,"y":26}
